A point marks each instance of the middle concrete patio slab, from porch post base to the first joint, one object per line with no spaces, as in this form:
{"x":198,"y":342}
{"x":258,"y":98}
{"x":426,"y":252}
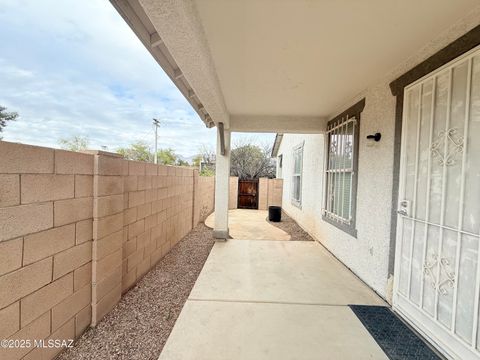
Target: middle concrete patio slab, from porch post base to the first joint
{"x":279,"y":272}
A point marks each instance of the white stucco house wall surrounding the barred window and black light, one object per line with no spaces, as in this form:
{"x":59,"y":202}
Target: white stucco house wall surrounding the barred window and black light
{"x":368,"y":254}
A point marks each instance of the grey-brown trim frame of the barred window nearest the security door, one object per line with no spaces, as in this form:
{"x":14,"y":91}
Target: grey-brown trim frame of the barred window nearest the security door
{"x":352,"y":114}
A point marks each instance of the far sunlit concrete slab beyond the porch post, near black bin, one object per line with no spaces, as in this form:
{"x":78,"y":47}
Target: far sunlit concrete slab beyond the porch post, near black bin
{"x":250,"y":224}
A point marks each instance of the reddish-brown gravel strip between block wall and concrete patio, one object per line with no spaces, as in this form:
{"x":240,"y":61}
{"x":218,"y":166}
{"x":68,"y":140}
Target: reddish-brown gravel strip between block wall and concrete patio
{"x":140,"y":324}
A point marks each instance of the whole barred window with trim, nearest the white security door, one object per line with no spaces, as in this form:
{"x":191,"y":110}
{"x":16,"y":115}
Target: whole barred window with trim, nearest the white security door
{"x":341,"y":169}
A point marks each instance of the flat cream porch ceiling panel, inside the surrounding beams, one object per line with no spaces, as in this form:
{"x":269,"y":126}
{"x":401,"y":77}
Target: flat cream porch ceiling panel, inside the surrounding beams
{"x":307,"y":57}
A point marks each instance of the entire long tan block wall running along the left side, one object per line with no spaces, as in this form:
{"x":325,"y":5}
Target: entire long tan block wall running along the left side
{"x":79,"y":229}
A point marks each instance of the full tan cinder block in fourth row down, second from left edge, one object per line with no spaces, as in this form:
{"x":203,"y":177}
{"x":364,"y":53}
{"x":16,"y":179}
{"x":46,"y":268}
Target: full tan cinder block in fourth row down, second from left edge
{"x":47,"y":243}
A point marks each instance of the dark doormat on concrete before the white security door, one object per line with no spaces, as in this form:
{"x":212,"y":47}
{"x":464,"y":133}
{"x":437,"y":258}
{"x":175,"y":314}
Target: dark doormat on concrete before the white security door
{"x":396,"y":339}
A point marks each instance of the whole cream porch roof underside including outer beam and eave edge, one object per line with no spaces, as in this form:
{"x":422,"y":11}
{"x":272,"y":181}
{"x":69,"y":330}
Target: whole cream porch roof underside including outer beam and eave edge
{"x":282,"y":65}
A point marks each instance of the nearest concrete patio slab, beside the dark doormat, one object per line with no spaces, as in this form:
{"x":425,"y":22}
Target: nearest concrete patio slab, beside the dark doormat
{"x":208,"y":330}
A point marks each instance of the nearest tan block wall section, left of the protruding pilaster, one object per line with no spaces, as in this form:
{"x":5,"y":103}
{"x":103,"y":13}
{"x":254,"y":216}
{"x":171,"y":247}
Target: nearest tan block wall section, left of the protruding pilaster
{"x":46,"y":217}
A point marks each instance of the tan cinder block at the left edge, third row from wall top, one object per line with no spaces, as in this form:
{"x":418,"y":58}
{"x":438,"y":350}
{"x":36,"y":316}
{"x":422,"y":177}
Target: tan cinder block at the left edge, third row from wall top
{"x":21,"y":220}
